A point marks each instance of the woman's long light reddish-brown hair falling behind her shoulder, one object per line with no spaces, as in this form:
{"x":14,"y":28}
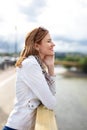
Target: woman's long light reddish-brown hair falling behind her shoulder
{"x":35,"y":36}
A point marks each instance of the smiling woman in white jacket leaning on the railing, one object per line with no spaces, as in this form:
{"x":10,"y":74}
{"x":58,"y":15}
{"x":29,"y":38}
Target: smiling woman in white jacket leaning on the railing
{"x":35,"y":83}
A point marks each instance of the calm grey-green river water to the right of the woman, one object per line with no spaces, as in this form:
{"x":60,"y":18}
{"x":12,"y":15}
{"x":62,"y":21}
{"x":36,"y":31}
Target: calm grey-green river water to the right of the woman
{"x":71,"y":110}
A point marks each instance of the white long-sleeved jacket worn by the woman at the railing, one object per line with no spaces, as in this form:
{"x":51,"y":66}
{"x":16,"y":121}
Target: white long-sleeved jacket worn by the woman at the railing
{"x":31,"y":90}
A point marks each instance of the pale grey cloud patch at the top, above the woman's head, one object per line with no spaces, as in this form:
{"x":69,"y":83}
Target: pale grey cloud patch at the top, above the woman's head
{"x":33,"y":9}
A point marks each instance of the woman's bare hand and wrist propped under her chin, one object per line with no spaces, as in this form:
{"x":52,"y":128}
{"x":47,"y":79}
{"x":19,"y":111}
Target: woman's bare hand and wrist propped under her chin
{"x":49,"y":62}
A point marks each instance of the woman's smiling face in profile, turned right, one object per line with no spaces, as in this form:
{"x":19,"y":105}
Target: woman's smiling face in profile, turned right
{"x":46,"y":46}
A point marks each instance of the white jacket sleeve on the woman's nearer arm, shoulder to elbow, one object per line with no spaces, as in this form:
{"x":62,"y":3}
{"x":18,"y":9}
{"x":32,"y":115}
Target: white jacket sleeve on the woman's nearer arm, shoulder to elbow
{"x":35,"y":80}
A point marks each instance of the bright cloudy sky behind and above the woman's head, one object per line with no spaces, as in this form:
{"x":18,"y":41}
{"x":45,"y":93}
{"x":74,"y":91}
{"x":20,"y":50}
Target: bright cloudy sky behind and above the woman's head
{"x":66,"y":21}
